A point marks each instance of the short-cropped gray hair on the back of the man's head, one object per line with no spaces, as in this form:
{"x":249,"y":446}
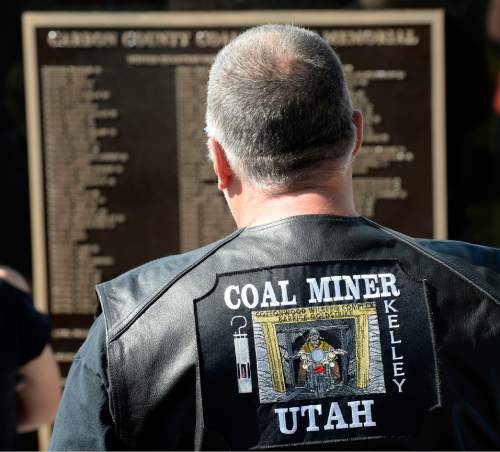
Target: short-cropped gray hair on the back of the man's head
{"x":279,"y":106}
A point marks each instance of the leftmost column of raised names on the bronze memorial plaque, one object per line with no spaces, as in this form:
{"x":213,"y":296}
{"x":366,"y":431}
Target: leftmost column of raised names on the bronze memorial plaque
{"x":76,"y":169}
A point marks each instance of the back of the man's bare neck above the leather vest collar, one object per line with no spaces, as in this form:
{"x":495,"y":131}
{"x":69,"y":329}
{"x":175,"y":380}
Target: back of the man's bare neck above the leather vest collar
{"x":256,"y":207}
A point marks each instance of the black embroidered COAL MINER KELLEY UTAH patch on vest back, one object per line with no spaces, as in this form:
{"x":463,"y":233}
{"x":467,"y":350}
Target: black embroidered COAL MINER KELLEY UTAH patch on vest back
{"x":315,"y":353}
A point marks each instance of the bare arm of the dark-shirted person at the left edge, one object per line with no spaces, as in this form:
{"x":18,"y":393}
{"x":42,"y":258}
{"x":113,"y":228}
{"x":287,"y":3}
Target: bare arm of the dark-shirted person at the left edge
{"x":39,"y":392}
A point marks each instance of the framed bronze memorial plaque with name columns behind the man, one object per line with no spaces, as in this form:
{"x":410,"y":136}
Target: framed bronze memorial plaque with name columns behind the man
{"x":118,"y":166}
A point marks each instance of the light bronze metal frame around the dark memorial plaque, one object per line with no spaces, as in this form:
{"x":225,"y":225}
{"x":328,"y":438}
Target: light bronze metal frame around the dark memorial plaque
{"x":33,"y":20}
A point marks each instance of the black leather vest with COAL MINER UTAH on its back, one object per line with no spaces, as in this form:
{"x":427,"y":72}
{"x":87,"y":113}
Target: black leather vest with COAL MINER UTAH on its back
{"x":309,"y":332}
